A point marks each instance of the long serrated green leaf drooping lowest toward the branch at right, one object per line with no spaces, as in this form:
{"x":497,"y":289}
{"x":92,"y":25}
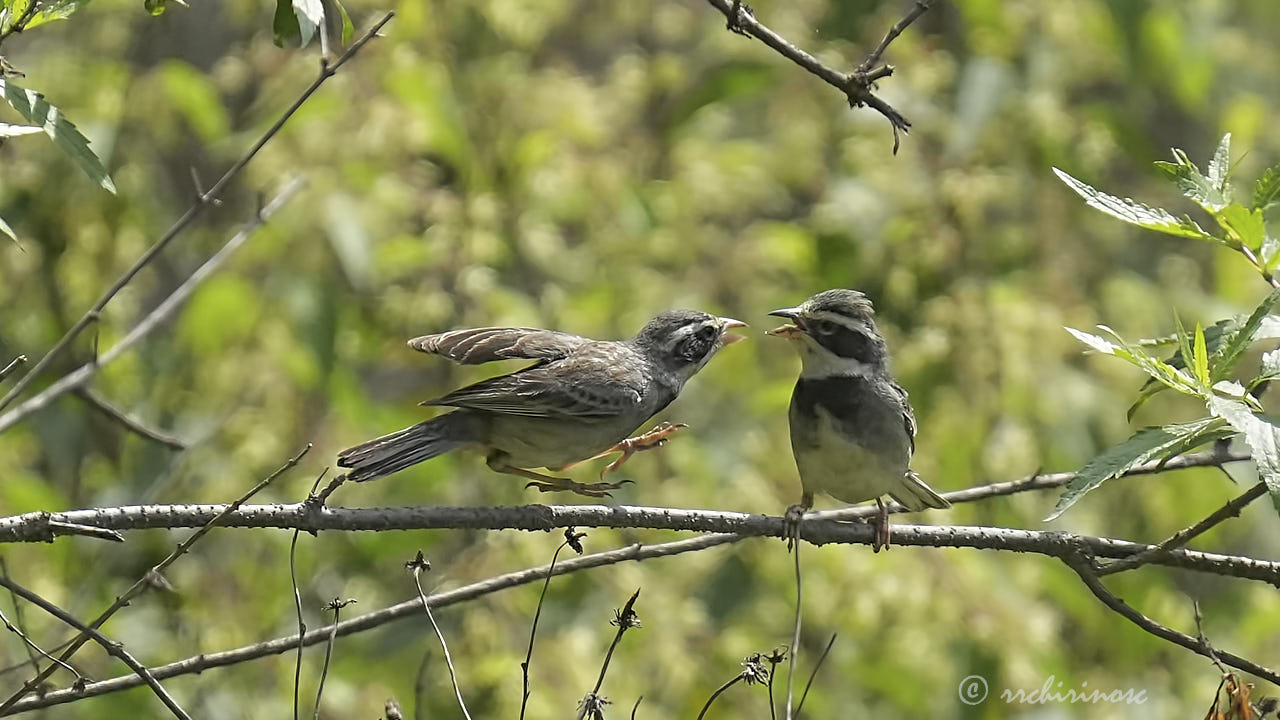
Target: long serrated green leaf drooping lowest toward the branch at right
{"x":1144,"y":446}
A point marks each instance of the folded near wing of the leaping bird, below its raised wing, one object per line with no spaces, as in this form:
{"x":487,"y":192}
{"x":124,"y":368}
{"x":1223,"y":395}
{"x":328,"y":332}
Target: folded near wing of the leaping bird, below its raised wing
{"x":601,"y":381}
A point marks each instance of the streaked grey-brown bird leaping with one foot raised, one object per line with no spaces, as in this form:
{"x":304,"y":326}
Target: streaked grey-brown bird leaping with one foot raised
{"x":578,"y":402}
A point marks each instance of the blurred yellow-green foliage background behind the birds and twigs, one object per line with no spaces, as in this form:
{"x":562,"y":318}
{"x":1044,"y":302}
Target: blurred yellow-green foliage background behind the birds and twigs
{"x":584,"y":166}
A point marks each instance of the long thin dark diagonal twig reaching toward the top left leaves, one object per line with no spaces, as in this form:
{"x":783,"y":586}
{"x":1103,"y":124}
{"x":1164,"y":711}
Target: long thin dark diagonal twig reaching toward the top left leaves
{"x":203,"y":200}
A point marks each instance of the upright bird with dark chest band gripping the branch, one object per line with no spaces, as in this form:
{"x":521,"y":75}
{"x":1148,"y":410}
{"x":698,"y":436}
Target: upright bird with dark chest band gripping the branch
{"x":853,"y":431}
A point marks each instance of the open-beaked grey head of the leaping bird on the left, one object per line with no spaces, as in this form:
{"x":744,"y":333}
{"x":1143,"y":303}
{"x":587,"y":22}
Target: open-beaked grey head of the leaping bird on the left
{"x":683,"y":341}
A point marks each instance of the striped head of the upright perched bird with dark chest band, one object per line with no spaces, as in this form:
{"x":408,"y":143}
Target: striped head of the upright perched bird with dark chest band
{"x":835,"y":332}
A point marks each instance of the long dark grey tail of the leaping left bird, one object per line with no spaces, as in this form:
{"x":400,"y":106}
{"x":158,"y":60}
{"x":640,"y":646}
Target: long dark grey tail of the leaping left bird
{"x":394,"y":453}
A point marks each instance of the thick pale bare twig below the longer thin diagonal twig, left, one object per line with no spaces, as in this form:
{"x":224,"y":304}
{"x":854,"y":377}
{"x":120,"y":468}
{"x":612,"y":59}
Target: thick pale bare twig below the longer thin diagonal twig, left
{"x":79,"y":377}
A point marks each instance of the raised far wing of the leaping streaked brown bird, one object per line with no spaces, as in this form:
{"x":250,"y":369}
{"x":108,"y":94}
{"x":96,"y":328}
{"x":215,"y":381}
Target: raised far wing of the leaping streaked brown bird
{"x":487,"y":345}
